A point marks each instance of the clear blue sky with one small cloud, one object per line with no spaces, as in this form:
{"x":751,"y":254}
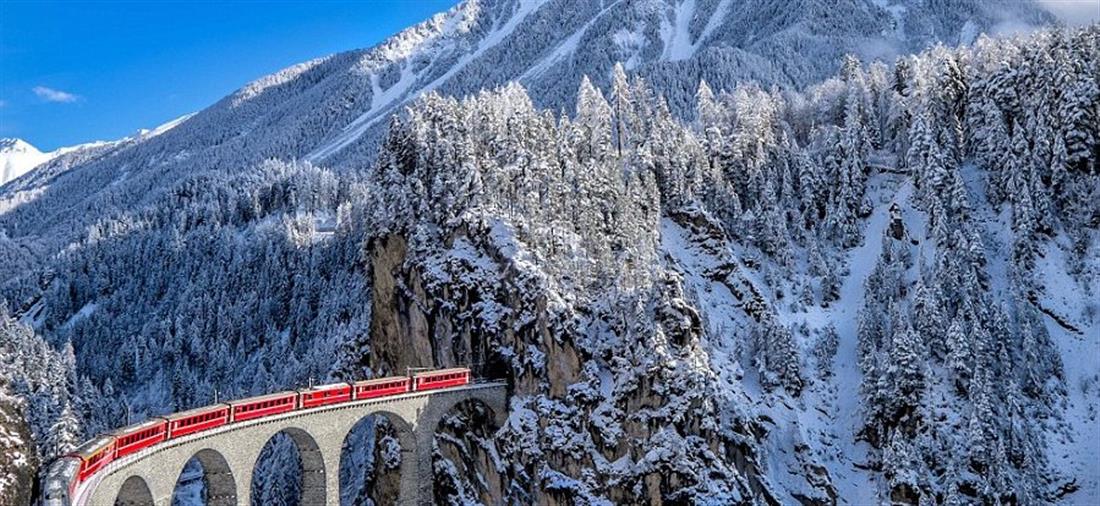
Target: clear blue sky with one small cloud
{"x":74,"y":72}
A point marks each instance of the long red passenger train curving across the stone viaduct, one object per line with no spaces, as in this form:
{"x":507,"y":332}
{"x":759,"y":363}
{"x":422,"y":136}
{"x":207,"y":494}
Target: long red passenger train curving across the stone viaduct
{"x":72,"y":470}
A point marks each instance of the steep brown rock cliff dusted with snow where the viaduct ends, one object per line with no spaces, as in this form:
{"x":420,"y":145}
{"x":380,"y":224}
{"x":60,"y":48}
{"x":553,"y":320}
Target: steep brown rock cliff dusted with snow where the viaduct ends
{"x":607,"y":402}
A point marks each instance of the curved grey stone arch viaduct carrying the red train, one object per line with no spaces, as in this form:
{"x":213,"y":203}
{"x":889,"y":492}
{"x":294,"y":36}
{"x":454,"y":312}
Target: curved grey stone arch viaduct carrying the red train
{"x":229,"y":455}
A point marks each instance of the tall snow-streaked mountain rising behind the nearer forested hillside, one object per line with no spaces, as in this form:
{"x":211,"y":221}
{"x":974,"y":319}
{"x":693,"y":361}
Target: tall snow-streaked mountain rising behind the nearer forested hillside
{"x":334,"y":111}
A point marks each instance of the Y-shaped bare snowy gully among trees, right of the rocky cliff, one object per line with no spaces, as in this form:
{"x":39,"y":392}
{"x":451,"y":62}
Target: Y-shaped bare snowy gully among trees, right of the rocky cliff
{"x":829,"y":416}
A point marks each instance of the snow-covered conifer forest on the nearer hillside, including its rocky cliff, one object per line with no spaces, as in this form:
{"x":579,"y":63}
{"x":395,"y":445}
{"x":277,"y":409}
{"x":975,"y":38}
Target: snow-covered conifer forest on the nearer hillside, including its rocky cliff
{"x":878,"y":289}
